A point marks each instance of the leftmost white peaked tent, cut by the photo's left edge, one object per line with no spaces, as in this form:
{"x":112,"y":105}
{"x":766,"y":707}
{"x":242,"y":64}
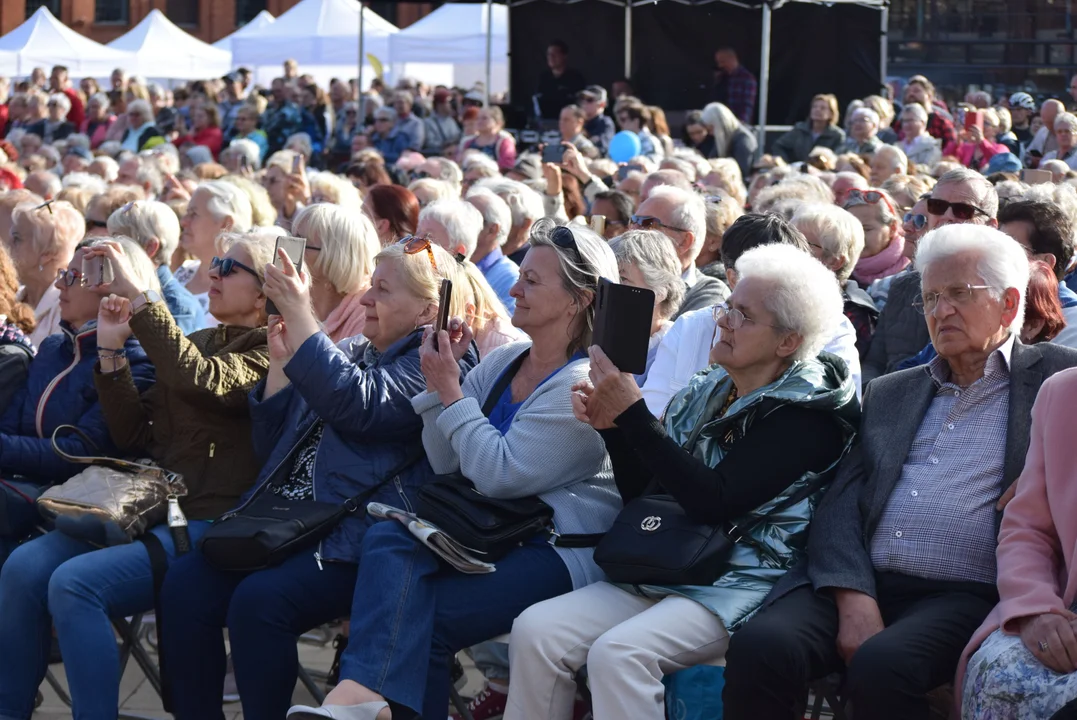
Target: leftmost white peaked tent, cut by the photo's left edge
{"x":43,"y":40}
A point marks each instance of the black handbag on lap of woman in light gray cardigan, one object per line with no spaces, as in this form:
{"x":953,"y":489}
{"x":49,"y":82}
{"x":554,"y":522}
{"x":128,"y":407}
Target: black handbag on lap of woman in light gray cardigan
{"x":492,"y":527}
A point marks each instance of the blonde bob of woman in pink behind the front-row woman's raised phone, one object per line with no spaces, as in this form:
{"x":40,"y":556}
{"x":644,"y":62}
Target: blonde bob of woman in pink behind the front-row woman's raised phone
{"x":348,"y":242}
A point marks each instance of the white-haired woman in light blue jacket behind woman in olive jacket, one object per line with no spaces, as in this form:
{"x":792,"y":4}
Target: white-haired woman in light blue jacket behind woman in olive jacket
{"x":156,"y":228}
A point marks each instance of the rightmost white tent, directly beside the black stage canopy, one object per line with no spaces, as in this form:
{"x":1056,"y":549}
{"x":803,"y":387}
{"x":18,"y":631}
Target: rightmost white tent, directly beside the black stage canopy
{"x":450,"y":46}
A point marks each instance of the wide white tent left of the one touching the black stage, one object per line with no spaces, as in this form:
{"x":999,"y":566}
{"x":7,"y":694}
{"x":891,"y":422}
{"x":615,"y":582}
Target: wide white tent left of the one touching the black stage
{"x":323,"y":36}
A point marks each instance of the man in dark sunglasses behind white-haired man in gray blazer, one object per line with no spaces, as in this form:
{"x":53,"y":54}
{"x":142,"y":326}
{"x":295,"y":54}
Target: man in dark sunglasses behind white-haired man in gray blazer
{"x":961,"y":196}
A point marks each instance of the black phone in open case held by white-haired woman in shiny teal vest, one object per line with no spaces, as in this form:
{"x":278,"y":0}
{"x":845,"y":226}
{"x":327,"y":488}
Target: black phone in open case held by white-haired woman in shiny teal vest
{"x":623,"y":324}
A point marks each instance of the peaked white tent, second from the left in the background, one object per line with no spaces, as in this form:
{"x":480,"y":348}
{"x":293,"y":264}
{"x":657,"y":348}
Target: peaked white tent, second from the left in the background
{"x":162,"y":50}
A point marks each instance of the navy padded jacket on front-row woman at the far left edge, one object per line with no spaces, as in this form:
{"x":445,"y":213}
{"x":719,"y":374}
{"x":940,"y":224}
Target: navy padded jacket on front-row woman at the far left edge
{"x":60,"y":391}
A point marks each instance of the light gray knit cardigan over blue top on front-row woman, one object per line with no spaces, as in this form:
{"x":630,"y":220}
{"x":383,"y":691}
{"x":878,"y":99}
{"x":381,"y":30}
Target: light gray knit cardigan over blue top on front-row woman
{"x":547,"y":453}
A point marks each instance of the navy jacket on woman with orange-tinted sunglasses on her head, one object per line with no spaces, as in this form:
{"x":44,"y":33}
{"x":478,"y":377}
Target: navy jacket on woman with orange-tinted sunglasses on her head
{"x":370,"y":427}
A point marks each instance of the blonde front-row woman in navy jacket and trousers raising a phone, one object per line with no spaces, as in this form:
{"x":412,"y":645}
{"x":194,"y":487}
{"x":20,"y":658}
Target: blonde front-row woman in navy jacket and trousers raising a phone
{"x":330,"y":421}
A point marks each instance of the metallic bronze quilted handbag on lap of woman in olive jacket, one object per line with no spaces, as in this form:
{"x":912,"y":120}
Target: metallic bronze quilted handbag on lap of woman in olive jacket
{"x":132,"y":497}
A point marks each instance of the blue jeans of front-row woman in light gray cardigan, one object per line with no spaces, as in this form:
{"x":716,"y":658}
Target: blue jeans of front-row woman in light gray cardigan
{"x":412,"y":614}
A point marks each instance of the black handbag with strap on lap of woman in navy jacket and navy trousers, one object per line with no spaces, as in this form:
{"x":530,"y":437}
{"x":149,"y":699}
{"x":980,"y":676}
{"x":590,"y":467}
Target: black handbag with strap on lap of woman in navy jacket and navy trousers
{"x":271,"y":529}
